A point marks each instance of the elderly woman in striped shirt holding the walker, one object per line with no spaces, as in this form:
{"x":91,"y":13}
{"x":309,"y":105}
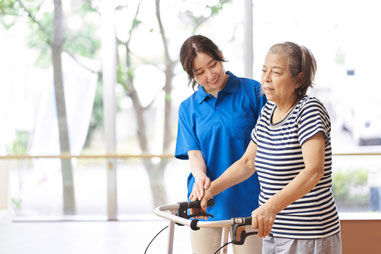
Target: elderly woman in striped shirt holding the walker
{"x":290,"y":149}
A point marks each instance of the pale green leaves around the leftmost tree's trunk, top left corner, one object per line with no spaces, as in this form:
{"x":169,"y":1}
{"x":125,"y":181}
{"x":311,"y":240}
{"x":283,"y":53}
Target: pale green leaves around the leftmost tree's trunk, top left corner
{"x":37,"y":15}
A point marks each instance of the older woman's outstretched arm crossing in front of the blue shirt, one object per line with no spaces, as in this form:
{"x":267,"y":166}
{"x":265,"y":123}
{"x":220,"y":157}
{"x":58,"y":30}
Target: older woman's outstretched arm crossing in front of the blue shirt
{"x":236,"y":173}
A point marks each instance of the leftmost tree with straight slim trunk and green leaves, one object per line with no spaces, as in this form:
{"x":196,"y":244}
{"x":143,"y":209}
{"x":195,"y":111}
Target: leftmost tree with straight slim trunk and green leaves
{"x":48,"y":33}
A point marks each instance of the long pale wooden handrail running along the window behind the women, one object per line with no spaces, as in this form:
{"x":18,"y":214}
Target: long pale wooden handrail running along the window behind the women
{"x":132,"y":156}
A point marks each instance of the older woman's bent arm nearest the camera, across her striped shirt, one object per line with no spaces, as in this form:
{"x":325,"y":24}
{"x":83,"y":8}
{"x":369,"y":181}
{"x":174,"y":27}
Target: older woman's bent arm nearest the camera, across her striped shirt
{"x":313,"y":155}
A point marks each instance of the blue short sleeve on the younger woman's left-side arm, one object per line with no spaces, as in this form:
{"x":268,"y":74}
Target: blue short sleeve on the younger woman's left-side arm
{"x":186,"y":134}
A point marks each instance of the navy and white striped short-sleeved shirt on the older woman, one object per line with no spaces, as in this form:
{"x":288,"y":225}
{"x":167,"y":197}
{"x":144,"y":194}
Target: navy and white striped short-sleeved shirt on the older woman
{"x":279,"y":160}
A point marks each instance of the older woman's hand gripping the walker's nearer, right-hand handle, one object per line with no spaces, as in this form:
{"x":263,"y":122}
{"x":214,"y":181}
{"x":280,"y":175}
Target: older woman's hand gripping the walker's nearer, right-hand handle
{"x":263,"y":220}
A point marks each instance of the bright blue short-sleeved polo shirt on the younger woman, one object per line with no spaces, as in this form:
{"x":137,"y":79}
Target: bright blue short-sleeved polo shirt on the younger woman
{"x":220,"y":127}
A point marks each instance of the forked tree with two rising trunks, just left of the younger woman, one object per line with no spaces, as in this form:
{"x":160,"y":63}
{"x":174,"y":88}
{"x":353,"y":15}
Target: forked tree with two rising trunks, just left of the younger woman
{"x":126,"y":77}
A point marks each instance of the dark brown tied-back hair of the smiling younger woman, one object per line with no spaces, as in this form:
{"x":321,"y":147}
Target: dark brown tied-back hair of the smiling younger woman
{"x":189,"y":50}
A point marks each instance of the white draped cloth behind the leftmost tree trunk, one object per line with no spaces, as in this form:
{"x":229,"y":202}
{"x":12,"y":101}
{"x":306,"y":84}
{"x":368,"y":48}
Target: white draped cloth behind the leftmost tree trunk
{"x":46,"y":181}
